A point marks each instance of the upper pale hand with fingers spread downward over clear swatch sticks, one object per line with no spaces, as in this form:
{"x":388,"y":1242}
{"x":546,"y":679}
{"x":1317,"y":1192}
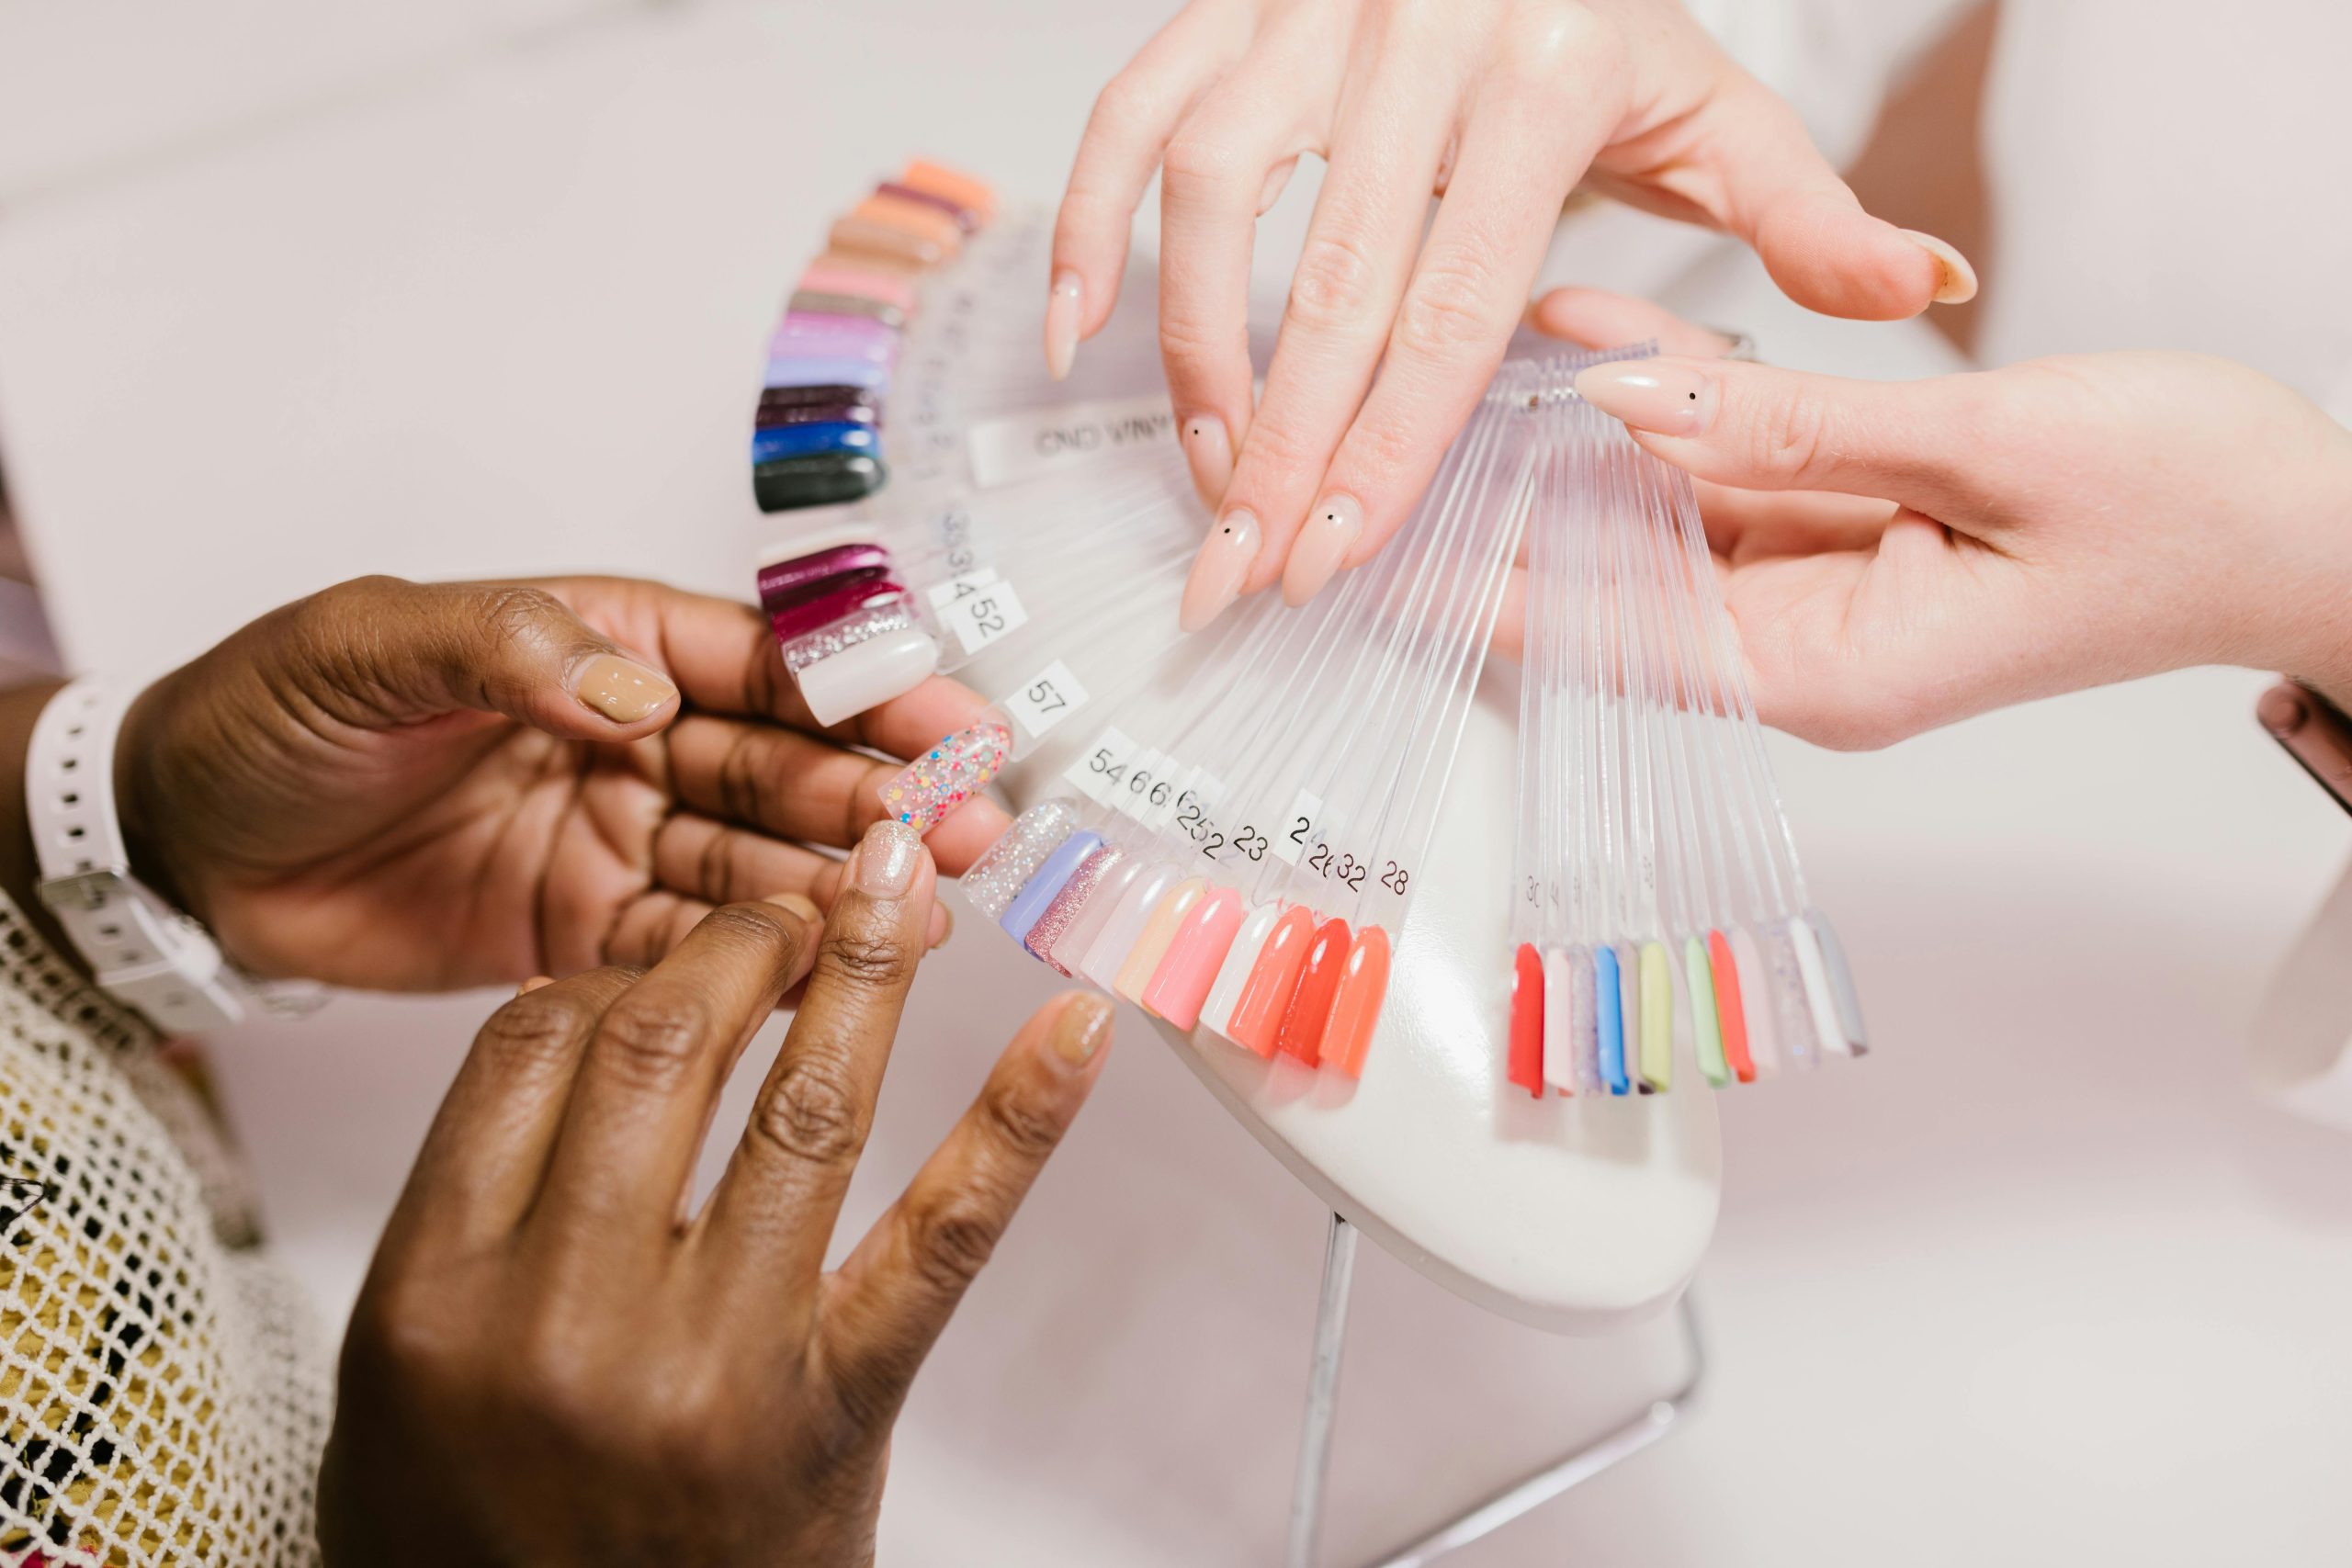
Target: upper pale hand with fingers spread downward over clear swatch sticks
{"x":1502,"y":107}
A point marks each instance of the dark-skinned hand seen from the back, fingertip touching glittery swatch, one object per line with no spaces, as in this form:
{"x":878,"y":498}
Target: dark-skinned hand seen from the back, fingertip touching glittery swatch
{"x":559,"y":1362}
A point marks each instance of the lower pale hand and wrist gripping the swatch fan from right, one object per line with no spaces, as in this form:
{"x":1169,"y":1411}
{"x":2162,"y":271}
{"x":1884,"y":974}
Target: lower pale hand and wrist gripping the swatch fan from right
{"x":1904,"y":556}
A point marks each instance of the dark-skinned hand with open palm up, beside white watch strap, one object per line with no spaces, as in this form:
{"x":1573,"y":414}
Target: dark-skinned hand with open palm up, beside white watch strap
{"x":432,"y":786}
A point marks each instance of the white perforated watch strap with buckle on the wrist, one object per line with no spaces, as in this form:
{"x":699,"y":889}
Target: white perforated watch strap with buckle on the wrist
{"x":140,"y":949}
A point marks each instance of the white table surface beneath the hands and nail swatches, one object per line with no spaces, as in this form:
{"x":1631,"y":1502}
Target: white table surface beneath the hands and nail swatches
{"x":481,"y":293}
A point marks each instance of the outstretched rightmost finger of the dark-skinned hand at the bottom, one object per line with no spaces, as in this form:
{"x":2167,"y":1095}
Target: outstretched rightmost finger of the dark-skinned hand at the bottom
{"x":904,"y":1280}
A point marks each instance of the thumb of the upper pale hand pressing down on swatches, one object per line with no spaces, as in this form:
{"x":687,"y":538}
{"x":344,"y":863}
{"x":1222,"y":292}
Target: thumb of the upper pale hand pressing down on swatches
{"x":1777,"y":192}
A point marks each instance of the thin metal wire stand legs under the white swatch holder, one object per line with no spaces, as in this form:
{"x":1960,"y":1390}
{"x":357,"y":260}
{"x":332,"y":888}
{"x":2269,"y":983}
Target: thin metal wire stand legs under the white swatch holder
{"x":1523,"y":1496}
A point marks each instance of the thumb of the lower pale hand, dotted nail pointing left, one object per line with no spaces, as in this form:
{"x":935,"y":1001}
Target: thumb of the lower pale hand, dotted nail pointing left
{"x":1756,"y":427}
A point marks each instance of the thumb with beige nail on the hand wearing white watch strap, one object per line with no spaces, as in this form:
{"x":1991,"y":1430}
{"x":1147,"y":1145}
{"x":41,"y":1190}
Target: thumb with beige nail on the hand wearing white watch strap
{"x":387,"y":652}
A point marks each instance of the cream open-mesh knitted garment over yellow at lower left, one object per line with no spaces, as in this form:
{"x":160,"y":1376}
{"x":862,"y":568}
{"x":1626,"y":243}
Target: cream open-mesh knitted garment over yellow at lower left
{"x":163,"y":1395}
